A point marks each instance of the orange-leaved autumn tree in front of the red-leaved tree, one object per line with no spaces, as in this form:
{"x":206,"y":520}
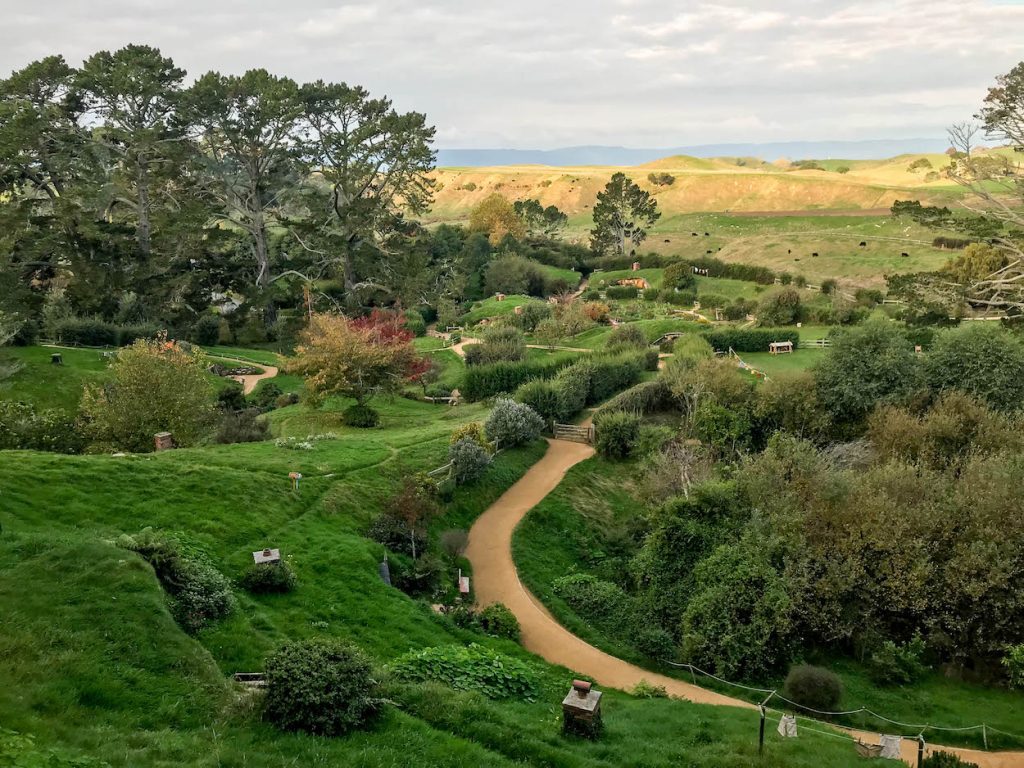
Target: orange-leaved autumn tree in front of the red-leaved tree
{"x":358,"y":358}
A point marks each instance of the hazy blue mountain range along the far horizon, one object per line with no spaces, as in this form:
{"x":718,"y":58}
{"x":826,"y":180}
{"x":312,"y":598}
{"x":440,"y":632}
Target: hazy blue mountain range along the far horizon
{"x":622,"y":156}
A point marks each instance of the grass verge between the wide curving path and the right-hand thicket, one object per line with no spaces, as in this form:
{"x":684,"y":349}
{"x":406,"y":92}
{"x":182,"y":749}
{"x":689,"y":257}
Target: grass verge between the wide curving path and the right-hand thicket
{"x":585,"y":527}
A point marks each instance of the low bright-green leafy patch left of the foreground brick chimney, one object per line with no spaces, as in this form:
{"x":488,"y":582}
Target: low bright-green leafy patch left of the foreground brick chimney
{"x":471,"y":668}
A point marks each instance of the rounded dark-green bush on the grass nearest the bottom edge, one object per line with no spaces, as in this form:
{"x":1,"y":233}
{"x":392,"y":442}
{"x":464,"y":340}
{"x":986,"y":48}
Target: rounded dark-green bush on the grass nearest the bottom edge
{"x":320,"y":687}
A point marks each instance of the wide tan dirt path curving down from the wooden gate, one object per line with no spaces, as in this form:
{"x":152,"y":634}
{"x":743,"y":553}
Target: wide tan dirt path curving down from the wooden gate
{"x":496,"y":580}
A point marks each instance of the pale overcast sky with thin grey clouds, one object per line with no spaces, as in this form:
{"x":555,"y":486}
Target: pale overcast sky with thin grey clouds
{"x":541,"y":74}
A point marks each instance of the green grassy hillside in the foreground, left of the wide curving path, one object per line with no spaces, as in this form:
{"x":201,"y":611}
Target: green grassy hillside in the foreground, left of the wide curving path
{"x":92,"y":663}
